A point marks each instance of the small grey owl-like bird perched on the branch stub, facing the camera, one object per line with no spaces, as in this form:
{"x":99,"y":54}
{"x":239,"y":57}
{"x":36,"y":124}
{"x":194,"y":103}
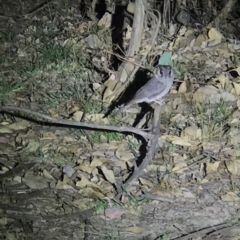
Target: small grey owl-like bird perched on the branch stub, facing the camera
{"x":154,"y":90}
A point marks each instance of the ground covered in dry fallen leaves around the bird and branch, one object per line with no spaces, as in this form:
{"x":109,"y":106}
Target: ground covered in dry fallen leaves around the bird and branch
{"x":61,"y":182}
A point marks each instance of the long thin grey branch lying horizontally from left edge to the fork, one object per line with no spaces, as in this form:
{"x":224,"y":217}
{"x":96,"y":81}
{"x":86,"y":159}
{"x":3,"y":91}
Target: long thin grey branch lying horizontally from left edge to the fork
{"x":39,"y":117}
